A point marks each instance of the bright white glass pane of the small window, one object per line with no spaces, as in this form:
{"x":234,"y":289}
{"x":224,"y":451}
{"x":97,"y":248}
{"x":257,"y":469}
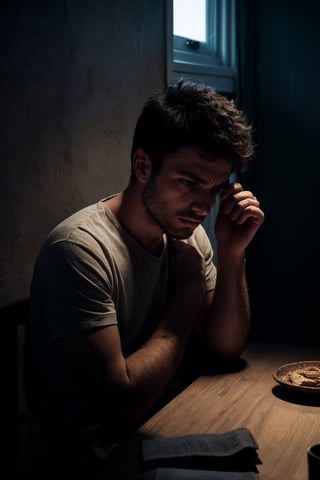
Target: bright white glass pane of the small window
{"x":189,"y":19}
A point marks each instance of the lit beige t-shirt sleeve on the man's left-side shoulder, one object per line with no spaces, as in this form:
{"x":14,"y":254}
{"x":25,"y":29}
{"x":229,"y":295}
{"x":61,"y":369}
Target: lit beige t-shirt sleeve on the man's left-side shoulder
{"x":76,"y":289}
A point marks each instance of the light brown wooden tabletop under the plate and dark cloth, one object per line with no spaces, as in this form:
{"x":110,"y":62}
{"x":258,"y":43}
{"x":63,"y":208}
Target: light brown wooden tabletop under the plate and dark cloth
{"x":283,"y":422}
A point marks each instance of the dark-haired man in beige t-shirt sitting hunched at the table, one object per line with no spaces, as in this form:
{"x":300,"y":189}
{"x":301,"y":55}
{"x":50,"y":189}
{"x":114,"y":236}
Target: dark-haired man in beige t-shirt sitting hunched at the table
{"x":122,"y":287}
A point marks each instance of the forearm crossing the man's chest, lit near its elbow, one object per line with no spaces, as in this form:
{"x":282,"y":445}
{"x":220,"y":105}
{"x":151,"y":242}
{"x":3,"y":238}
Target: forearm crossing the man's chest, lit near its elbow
{"x":150,"y":368}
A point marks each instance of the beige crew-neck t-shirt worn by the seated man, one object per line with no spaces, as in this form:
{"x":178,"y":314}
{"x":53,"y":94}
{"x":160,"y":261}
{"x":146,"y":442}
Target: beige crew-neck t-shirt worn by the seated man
{"x":91,"y":273}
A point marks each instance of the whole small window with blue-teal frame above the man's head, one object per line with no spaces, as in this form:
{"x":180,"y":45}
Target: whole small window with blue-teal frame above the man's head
{"x":201,"y":42}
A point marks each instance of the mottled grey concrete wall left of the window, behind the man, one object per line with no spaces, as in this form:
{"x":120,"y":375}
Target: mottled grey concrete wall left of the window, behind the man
{"x":75,"y":75}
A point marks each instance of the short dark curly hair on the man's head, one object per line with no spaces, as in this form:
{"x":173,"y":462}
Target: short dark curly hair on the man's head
{"x":193,"y":114}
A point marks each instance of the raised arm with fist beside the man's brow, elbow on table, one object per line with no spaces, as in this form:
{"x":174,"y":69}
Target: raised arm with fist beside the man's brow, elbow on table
{"x":227,"y":320}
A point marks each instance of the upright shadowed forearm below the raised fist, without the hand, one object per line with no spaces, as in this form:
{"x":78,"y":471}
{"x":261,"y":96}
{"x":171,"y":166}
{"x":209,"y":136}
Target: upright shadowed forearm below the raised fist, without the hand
{"x":227,"y":320}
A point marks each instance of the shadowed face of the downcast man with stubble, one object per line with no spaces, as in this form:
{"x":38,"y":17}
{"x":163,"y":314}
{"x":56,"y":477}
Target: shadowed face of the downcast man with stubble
{"x":182,"y":194}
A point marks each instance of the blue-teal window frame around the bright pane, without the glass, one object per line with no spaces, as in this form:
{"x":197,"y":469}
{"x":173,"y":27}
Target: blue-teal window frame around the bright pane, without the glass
{"x":214,"y":62}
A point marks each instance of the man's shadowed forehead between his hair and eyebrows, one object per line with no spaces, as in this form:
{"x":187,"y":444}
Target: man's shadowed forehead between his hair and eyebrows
{"x":187,"y":161}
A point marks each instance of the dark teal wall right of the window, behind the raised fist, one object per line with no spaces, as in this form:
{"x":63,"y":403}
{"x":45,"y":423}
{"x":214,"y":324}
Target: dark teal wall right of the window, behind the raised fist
{"x":284,"y":261}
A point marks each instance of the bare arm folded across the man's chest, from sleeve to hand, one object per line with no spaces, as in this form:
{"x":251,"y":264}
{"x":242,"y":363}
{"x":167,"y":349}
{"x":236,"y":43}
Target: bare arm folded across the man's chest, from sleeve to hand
{"x":137,"y":381}
